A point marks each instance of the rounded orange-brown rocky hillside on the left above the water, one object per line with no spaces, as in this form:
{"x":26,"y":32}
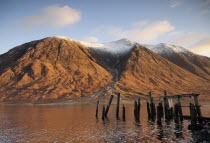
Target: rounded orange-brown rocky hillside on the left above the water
{"x":51,"y":69}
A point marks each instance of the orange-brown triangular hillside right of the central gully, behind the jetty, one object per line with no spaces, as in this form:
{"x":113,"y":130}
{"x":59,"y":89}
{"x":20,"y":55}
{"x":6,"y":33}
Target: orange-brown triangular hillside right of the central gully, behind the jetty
{"x":146,"y":71}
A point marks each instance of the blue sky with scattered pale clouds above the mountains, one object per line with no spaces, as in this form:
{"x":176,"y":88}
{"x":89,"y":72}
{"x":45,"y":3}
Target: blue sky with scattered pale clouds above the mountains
{"x":184,"y":23}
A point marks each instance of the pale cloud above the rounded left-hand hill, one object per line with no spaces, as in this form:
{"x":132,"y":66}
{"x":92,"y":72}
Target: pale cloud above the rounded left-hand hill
{"x":53,"y":17}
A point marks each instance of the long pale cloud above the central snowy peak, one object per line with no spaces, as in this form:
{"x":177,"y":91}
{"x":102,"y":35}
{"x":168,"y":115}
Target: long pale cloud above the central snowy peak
{"x":142,"y":31}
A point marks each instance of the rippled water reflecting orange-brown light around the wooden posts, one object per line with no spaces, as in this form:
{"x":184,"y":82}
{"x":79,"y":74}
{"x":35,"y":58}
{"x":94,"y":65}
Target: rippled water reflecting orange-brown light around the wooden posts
{"x":77,"y":123}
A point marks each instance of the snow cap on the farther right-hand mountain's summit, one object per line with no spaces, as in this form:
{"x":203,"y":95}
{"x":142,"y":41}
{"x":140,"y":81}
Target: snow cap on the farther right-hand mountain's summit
{"x":166,"y":48}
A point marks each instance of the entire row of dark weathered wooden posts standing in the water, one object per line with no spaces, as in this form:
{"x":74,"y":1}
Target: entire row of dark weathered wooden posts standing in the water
{"x":162,"y":110}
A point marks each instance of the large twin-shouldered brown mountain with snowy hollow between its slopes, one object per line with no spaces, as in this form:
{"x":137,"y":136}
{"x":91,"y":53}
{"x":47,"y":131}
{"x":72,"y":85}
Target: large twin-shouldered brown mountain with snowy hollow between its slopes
{"x":58,"y":69}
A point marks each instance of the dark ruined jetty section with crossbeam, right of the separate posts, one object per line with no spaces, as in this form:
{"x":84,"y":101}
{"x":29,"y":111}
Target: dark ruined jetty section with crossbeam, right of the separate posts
{"x":174,"y":111}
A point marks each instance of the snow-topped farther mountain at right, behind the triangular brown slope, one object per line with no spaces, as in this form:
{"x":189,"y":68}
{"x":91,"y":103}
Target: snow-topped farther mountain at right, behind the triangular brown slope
{"x":197,"y":64}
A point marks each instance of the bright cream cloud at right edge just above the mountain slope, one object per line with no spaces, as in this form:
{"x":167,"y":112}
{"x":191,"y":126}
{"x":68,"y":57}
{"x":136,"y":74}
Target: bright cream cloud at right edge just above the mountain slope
{"x":202,"y":47}
